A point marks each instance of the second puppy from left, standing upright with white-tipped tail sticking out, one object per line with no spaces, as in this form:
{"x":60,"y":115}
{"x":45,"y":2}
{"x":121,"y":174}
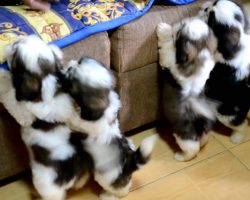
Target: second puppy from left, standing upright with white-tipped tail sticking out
{"x":114,"y":157}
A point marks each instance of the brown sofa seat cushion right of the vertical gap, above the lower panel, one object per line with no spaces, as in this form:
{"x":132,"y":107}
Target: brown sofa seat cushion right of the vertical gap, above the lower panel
{"x":134,"y":45}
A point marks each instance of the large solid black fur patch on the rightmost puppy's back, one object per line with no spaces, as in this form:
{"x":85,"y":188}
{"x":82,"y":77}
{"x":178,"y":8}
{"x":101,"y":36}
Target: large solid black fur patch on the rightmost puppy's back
{"x":232,"y":94}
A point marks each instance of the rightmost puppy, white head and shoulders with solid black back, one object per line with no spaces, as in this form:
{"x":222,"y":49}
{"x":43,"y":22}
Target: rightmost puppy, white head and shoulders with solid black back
{"x":229,"y":81}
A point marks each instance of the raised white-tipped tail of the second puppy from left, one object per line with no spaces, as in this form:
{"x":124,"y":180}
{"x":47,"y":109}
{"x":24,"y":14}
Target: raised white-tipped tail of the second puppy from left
{"x":143,"y":153}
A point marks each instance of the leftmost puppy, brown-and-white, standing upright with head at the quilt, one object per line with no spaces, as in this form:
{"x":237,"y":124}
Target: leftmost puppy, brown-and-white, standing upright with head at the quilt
{"x":56,"y":158}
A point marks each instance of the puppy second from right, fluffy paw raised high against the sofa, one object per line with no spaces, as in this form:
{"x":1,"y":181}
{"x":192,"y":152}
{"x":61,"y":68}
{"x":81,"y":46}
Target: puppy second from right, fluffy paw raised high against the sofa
{"x":185,"y":108}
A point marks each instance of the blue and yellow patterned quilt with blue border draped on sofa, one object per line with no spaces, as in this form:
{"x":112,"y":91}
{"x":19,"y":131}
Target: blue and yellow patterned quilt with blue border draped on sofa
{"x":68,"y":21}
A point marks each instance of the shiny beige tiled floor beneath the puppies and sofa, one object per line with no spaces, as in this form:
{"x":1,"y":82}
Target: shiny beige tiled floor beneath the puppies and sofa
{"x":220,"y":172}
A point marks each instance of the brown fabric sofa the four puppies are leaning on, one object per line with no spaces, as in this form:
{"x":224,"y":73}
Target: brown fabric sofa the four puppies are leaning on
{"x":131,"y":52}
